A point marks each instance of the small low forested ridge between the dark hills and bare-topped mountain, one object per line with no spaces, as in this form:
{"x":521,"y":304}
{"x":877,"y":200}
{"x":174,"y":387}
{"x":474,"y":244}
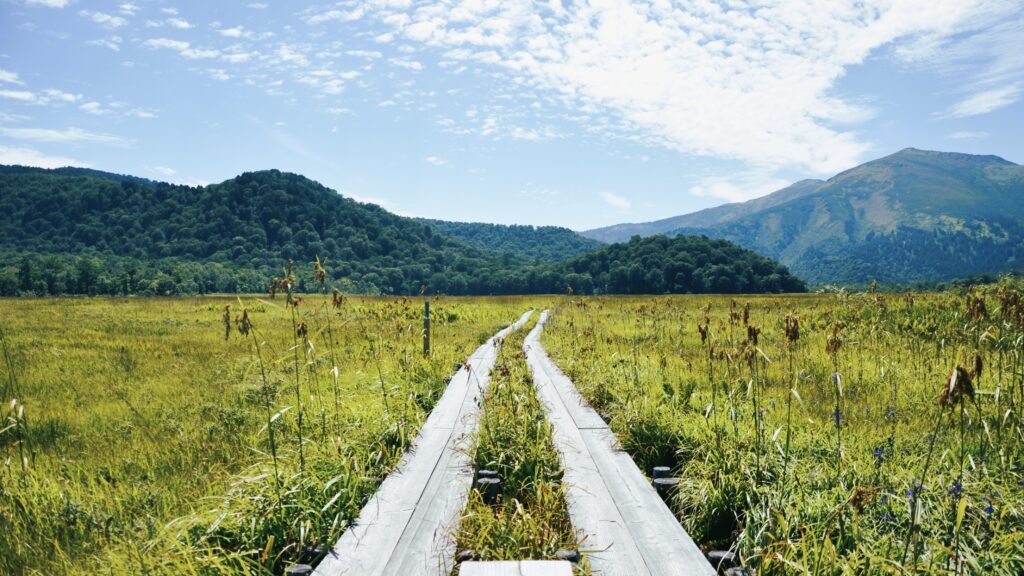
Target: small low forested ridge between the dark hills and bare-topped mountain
{"x":534,"y":243}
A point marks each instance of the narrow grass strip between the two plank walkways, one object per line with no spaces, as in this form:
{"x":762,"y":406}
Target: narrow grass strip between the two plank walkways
{"x":529,"y":519}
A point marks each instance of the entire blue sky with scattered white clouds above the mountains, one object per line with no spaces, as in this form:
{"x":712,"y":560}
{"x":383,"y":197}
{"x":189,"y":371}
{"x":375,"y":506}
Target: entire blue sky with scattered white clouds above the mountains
{"x":578,"y":114}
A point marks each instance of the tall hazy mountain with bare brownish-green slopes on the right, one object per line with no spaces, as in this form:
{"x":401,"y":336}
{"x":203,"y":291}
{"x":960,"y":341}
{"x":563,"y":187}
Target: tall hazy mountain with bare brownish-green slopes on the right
{"x":916,"y":216}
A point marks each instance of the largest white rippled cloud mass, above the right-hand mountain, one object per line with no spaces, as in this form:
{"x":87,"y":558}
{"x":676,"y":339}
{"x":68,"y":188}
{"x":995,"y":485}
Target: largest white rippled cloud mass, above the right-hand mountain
{"x":751,"y":81}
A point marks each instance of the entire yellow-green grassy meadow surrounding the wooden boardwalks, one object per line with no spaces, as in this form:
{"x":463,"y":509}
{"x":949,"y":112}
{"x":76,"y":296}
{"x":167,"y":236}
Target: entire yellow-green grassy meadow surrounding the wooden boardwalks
{"x":832,"y":434}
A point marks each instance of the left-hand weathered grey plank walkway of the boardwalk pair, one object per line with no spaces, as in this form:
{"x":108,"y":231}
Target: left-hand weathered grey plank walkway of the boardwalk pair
{"x":408,"y":528}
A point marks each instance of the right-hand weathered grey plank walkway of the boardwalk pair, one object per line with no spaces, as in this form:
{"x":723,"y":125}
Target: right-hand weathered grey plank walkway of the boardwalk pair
{"x":630,"y":530}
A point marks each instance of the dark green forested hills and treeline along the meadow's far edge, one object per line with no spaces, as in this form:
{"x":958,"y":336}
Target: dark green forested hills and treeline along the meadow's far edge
{"x":74,"y":232}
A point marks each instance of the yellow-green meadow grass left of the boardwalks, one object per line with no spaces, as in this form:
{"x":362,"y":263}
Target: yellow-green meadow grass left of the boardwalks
{"x":138,"y":439}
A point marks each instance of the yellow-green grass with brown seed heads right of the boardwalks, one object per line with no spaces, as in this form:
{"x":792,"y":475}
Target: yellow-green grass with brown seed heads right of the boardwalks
{"x":850,"y":434}
